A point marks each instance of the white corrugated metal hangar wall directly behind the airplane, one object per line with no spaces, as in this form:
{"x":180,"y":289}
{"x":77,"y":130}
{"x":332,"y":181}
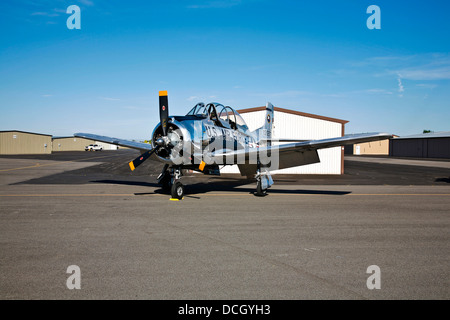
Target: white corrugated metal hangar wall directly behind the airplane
{"x":290,"y":126}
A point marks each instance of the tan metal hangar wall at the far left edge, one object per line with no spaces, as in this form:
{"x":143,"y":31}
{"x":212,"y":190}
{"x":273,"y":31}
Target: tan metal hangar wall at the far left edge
{"x":15,"y":142}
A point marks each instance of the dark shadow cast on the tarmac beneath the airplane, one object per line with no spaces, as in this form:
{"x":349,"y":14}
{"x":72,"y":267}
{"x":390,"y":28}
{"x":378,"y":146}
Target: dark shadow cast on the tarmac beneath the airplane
{"x":226,"y":186}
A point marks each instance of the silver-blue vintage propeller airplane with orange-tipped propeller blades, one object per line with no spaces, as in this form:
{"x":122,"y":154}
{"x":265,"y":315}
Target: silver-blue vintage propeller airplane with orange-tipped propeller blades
{"x":211,"y":135}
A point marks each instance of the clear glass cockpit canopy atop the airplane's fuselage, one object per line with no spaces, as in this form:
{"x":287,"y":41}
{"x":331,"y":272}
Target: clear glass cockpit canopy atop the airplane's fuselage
{"x":222,"y":116}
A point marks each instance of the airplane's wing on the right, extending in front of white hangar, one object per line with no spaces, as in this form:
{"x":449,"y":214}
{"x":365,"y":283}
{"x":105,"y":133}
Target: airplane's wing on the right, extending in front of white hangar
{"x":297,"y":153}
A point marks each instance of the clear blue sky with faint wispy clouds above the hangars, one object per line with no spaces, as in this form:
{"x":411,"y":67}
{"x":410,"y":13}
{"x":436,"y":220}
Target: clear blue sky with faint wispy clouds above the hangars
{"x":312,"y":56}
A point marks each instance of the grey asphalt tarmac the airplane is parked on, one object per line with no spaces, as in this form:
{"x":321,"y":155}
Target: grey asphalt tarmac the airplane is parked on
{"x":312,"y":237}
